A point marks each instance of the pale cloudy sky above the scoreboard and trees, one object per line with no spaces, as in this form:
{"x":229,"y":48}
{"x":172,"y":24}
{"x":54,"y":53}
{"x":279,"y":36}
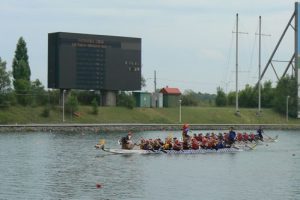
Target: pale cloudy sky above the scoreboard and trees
{"x":188,"y":42}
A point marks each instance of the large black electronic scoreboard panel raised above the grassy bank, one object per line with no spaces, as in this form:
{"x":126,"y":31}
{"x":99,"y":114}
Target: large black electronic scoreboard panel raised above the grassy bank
{"x":93,"y":62}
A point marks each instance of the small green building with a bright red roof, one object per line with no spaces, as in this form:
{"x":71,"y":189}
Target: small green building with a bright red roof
{"x":171,"y":96}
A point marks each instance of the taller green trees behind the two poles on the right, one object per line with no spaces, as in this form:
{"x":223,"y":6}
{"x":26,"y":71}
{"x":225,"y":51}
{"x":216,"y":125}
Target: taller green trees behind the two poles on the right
{"x":271,"y":97}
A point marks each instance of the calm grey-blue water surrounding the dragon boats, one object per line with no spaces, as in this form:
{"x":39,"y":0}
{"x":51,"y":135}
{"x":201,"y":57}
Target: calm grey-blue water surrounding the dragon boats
{"x":66,"y":166}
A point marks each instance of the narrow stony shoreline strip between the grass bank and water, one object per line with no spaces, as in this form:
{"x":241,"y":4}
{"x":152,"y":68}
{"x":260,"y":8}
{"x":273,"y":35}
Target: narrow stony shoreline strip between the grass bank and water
{"x":136,"y":127}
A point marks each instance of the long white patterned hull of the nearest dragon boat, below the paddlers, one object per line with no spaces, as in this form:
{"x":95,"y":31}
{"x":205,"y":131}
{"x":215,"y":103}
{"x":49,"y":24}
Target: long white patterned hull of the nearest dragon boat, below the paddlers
{"x":234,"y":149}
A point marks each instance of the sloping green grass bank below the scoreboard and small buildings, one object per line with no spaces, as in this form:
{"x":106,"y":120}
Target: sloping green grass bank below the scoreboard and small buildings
{"x":193,"y":115}
